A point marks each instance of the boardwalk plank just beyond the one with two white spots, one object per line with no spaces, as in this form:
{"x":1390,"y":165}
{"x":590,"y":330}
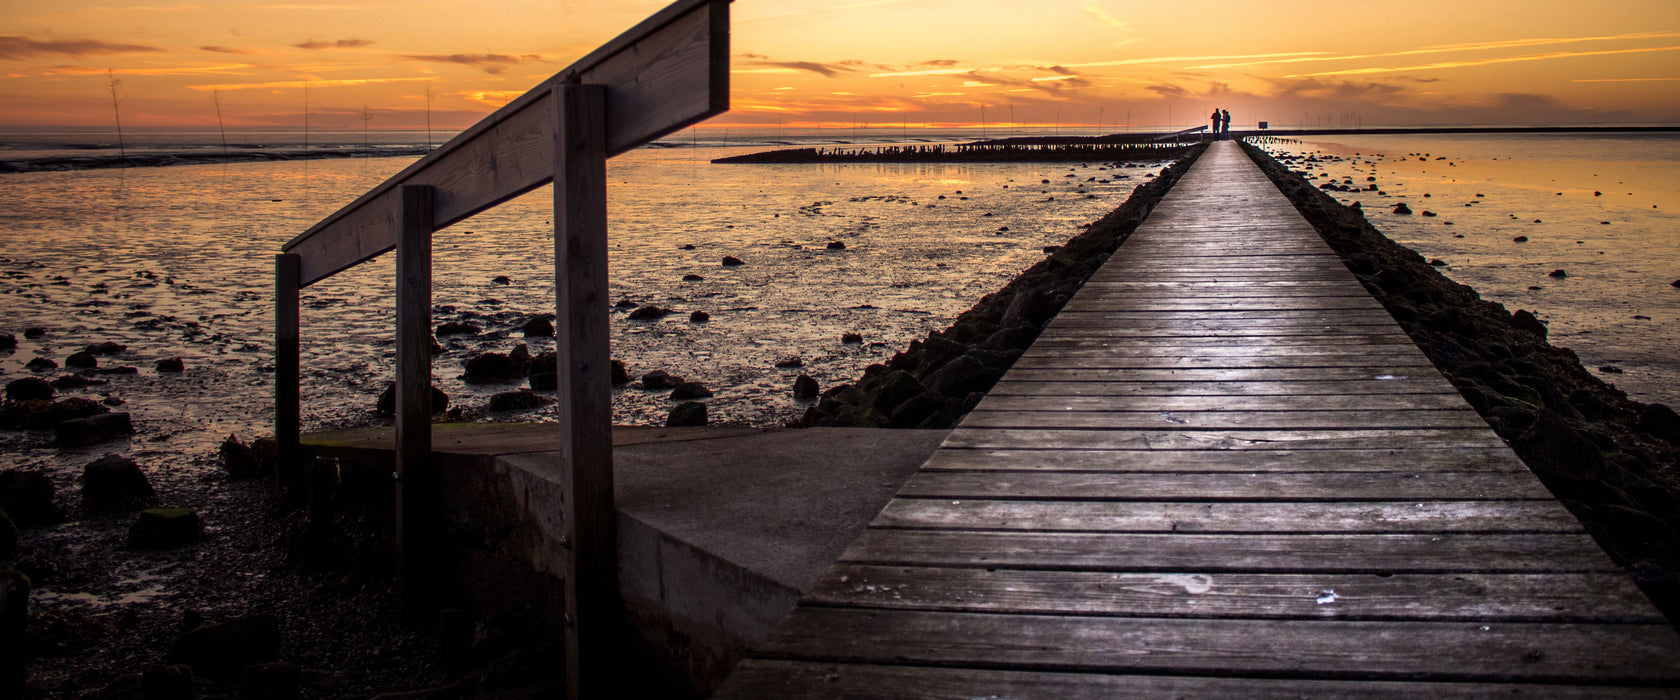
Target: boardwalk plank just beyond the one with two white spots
{"x":1236,"y":553}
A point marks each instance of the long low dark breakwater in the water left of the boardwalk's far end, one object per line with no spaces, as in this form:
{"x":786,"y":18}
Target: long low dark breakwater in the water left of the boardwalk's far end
{"x":969,"y":154}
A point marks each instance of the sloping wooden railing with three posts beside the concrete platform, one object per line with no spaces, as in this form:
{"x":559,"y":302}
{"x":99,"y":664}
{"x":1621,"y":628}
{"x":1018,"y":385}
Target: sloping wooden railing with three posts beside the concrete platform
{"x":661,"y":76}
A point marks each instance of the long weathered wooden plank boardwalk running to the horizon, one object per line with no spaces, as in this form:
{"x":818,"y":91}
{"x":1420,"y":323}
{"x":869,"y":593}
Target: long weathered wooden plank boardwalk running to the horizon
{"x":1221,"y":473}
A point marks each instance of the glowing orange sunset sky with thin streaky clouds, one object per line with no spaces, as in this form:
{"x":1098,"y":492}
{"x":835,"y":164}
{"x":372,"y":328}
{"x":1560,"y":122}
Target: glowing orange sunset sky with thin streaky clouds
{"x":886,"y":63}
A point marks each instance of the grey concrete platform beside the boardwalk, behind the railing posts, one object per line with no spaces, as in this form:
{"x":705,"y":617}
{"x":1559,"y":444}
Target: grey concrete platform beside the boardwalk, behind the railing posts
{"x":720,"y":530}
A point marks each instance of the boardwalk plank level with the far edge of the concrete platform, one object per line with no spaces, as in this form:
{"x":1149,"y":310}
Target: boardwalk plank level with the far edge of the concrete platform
{"x":1236,"y":441}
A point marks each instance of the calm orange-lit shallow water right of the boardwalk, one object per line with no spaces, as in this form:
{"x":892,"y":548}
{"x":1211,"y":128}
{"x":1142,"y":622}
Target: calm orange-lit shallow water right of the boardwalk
{"x":1605,"y":209}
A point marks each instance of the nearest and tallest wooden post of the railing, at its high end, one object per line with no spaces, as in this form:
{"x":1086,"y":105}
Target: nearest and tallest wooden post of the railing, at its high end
{"x":585,"y":389}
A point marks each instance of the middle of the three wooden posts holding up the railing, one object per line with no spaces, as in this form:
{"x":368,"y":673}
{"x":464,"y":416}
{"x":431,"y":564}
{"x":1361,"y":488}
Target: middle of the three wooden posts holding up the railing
{"x":416,"y":478}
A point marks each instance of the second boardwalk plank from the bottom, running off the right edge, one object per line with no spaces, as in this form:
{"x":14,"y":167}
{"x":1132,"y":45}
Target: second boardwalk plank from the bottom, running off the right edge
{"x":1449,"y":650}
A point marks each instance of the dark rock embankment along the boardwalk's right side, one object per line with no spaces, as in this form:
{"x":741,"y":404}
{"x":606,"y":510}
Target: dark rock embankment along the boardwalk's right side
{"x":1609,"y":459}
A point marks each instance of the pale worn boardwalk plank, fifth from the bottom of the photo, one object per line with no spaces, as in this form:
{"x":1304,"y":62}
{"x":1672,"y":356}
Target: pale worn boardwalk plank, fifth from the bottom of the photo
{"x":1284,"y":518}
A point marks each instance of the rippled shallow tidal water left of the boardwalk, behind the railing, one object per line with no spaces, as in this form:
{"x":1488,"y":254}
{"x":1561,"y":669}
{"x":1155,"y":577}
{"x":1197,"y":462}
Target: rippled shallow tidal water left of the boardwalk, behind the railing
{"x":179,"y":263}
